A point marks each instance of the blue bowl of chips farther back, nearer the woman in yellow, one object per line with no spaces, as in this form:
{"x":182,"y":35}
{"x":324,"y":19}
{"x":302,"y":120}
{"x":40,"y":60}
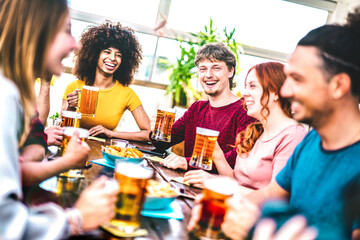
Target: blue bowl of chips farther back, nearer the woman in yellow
{"x":112,"y":152}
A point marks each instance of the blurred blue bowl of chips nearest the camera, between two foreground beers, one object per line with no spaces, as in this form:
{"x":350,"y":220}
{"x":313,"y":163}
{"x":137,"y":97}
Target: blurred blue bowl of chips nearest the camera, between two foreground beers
{"x":159,"y":195}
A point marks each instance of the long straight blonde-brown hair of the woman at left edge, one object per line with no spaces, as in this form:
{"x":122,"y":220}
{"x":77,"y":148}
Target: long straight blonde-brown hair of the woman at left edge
{"x":27,"y":28}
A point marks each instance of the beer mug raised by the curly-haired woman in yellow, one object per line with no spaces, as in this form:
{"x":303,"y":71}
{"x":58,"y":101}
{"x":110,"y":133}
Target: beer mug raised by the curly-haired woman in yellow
{"x":88,"y":100}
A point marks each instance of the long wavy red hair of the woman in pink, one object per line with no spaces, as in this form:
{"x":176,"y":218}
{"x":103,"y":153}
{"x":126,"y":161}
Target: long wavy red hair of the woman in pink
{"x":271,"y":77}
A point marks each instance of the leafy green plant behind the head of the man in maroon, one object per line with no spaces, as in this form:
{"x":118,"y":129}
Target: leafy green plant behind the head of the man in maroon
{"x":184,"y":69}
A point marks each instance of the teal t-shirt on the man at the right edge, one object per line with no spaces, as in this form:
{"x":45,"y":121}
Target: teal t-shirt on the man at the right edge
{"x":316,"y":179}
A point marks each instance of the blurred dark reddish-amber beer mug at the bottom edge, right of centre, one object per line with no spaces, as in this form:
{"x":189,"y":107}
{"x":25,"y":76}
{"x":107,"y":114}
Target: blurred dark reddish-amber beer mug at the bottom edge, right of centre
{"x":216,"y":191}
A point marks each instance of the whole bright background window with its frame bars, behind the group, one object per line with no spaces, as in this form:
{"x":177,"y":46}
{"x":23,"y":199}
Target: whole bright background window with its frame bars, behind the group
{"x":269,"y":29}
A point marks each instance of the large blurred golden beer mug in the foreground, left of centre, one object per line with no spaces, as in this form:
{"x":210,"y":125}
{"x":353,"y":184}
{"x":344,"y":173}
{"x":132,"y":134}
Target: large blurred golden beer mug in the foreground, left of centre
{"x":133,"y":180}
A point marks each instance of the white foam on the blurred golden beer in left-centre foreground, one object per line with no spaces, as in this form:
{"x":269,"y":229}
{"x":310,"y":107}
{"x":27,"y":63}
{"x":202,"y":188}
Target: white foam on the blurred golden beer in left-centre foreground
{"x":133,"y":170}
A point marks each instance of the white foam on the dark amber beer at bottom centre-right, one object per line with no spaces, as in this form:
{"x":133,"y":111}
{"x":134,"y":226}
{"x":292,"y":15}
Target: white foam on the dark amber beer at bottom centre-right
{"x":222,"y":185}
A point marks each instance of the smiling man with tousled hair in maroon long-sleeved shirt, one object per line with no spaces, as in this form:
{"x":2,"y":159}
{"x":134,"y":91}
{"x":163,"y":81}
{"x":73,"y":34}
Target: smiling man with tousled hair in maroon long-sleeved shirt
{"x":223,"y":111}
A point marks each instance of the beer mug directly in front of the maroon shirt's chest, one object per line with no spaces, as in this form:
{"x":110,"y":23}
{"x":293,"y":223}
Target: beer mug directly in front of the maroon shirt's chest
{"x":204,"y":147}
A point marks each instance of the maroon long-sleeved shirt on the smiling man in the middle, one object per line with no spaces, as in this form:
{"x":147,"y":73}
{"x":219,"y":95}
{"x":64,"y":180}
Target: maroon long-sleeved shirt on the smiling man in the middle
{"x":229,"y":120}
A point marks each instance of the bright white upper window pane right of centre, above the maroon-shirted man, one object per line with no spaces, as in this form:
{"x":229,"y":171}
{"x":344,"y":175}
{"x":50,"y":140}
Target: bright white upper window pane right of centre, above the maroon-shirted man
{"x":268,"y":24}
